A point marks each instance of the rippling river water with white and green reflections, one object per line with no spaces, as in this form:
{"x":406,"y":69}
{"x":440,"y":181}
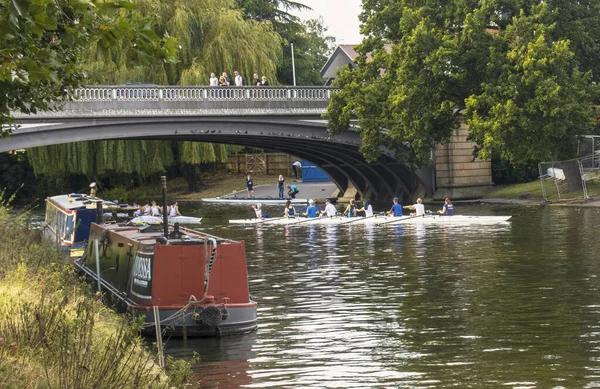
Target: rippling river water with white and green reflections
{"x":510,"y":306}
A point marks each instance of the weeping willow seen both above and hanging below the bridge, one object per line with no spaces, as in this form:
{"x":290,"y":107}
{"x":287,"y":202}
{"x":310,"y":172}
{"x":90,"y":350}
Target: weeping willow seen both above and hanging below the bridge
{"x":212,"y":37}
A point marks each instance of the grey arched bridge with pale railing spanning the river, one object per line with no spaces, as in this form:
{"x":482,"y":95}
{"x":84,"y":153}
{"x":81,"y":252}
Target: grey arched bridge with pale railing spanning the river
{"x":281,"y":119}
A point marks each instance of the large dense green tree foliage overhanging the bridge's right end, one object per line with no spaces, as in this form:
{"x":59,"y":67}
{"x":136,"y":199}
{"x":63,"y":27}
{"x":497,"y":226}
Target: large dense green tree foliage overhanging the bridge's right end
{"x":514,"y":71}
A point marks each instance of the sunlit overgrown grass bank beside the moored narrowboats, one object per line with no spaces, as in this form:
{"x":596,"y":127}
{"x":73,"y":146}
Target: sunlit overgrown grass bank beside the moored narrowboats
{"x":55,"y":333}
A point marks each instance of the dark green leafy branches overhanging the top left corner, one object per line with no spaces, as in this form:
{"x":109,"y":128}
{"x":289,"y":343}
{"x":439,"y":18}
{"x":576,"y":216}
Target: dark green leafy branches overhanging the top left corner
{"x":41,"y":43}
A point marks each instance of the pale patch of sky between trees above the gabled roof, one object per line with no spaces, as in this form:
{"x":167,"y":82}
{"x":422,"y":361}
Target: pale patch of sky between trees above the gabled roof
{"x":339,"y":16}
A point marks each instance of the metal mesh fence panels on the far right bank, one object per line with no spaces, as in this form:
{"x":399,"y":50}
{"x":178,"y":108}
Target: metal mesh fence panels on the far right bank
{"x":571,"y":179}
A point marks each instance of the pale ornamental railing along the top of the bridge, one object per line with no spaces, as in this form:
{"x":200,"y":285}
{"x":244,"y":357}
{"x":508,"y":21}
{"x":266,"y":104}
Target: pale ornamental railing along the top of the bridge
{"x":202,"y":93}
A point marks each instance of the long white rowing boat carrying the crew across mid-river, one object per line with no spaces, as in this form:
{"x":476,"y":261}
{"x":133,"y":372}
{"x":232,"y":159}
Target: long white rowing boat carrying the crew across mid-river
{"x":378,"y":220}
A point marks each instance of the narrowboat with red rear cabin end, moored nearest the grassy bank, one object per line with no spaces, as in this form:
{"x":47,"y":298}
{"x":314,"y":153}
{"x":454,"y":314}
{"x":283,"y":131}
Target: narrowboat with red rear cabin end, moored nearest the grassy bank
{"x":198,"y":282}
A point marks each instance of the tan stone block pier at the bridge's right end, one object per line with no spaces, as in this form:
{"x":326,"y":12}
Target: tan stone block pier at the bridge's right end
{"x":458,"y":176}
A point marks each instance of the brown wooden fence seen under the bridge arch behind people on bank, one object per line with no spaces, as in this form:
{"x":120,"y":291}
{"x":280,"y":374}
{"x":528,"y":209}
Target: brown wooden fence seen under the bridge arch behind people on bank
{"x":263,"y":163}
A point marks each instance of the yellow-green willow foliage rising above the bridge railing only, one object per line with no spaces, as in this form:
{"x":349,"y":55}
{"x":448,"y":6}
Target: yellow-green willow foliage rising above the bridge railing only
{"x":212,"y":37}
